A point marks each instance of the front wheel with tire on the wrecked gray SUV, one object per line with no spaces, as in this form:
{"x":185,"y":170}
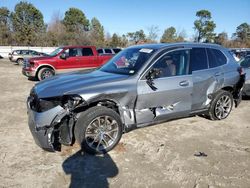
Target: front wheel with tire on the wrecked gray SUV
{"x":98,"y":130}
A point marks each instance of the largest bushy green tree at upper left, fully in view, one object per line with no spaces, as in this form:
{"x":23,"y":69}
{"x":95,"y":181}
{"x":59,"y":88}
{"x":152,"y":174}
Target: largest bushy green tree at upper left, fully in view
{"x":28,"y":24}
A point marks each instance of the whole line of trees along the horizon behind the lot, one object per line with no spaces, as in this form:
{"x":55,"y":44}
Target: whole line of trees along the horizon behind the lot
{"x":26,"y":26}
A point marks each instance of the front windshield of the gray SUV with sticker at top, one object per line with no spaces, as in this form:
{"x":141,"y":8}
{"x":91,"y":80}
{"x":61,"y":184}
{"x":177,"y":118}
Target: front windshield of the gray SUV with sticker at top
{"x":128,"y":61}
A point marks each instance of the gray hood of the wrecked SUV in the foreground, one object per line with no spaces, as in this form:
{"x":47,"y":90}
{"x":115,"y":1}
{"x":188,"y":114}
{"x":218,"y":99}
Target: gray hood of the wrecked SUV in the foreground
{"x":76,"y":83}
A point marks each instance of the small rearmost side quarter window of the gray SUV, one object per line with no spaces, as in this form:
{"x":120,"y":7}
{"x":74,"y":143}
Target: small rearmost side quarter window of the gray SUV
{"x":216,"y":58}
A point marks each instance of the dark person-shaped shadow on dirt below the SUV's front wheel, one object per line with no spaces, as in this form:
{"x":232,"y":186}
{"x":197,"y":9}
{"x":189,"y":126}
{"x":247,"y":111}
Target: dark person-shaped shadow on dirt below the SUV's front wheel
{"x":89,"y":170}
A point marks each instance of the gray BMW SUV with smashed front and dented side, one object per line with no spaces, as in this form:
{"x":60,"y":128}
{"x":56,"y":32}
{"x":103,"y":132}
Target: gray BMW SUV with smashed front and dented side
{"x":140,"y":86}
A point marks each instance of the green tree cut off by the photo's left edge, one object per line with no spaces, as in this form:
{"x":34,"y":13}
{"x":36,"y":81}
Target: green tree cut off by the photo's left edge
{"x":5,"y":34}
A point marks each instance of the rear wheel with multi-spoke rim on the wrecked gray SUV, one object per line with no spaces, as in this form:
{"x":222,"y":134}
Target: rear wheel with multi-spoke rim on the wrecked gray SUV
{"x":217,"y":108}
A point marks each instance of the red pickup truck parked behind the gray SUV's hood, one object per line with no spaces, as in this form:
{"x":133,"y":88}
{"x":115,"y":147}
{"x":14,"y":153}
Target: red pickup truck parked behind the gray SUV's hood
{"x":63,"y":59}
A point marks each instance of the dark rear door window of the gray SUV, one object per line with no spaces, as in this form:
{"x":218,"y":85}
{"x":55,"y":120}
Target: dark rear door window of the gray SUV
{"x":198,"y":59}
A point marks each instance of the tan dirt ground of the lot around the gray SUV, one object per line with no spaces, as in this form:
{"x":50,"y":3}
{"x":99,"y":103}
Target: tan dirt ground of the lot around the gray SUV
{"x":156,"y":156}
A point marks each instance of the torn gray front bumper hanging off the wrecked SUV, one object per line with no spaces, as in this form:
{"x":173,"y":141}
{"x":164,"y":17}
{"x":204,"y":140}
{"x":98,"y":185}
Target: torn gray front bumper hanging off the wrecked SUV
{"x":41,"y":125}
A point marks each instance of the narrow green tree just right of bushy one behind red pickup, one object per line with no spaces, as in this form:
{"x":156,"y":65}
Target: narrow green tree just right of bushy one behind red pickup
{"x":97,"y":32}
